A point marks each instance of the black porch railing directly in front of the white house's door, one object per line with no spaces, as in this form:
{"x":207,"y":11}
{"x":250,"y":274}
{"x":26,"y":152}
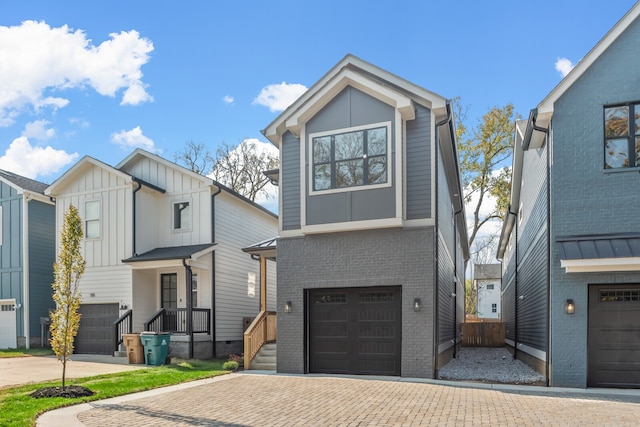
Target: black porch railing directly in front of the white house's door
{"x":174,"y":320}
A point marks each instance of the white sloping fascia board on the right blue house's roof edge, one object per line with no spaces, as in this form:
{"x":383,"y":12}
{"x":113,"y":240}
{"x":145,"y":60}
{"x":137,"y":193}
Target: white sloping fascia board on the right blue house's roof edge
{"x":546,"y":106}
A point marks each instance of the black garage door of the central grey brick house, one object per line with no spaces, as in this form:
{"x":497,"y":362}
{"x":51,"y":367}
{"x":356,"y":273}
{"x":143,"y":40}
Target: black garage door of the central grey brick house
{"x":355,"y":330}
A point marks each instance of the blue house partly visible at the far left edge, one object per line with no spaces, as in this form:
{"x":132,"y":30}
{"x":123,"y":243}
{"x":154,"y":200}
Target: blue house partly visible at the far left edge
{"x":27,"y":254}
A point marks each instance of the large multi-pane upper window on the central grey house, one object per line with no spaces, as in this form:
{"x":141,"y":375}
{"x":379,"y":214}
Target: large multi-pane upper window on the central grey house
{"x":357,"y":157}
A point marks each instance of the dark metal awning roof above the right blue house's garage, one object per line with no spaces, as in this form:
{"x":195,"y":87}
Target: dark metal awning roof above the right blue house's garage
{"x":622,"y":245}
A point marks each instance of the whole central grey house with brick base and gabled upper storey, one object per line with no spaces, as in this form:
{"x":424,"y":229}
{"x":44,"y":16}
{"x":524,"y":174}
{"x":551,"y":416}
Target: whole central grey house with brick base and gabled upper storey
{"x":372,"y":235}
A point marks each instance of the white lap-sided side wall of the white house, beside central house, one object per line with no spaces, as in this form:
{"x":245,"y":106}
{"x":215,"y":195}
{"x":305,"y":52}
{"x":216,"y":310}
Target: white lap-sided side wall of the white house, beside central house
{"x":238,"y":225}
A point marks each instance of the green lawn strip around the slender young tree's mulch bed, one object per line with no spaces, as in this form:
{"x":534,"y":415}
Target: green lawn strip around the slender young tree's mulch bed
{"x":19,"y":409}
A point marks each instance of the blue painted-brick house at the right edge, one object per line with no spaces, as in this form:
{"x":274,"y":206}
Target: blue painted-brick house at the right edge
{"x":570,"y":244}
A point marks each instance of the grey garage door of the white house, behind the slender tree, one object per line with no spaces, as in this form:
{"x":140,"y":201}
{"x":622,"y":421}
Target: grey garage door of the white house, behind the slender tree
{"x":95,"y":334}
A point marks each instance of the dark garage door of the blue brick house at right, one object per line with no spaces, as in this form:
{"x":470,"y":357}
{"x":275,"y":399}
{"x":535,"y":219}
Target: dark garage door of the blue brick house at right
{"x":614,"y":336}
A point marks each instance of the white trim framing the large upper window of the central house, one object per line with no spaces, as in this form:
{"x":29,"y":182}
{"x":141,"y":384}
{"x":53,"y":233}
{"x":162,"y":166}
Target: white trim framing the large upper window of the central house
{"x":387,"y":184}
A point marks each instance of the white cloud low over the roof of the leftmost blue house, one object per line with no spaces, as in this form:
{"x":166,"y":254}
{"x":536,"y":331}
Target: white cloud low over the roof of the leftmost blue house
{"x":27,"y":160}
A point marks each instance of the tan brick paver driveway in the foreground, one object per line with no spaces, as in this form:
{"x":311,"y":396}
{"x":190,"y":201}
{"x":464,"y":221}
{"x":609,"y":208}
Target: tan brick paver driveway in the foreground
{"x":255,"y":400}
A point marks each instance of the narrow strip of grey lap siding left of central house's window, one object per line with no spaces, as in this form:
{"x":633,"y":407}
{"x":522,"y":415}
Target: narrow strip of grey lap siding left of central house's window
{"x":290,"y":166}
